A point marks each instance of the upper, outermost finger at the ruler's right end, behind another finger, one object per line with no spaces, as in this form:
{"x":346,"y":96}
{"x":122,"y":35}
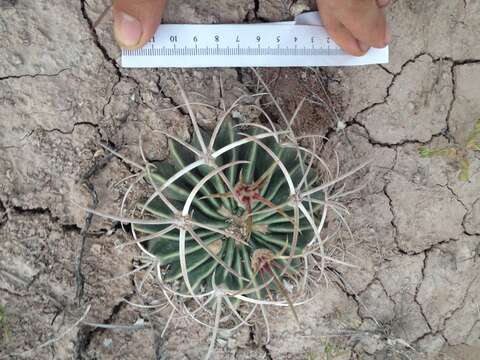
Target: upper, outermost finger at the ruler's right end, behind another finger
{"x":363,"y":18}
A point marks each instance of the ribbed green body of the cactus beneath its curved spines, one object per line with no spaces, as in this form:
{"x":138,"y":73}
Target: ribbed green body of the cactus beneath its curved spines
{"x":246,"y":211}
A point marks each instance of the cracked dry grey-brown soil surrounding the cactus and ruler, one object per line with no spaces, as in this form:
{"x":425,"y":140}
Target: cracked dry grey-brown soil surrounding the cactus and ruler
{"x":416,"y":226}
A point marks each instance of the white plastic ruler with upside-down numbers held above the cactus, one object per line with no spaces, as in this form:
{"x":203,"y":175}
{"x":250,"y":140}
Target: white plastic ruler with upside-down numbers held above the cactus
{"x":303,"y":42}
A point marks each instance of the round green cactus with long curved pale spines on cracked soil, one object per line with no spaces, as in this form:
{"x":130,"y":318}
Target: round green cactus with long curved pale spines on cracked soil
{"x":234,"y":222}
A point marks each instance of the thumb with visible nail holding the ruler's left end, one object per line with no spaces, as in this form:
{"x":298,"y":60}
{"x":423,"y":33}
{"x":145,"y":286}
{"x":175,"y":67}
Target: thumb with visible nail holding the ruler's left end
{"x":135,"y":21}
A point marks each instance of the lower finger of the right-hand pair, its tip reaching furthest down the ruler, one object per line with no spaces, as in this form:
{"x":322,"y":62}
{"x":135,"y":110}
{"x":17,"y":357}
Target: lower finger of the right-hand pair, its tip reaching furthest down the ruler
{"x":339,"y":33}
